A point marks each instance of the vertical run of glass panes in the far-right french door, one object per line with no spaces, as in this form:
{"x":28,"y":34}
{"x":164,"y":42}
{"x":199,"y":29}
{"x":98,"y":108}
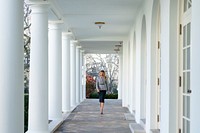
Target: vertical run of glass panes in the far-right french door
{"x":186,"y":79}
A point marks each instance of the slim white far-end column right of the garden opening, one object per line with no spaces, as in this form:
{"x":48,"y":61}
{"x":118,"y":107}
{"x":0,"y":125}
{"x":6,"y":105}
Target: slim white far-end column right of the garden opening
{"x":120,"y":76}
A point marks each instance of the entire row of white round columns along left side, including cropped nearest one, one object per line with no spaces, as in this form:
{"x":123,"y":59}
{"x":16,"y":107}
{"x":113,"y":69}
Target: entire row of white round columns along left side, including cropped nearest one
{"x":56,"y":64}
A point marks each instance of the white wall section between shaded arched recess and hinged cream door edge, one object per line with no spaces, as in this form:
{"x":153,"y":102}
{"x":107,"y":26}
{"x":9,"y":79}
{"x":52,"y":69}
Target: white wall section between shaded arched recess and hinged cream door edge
{"x":152,"y":90}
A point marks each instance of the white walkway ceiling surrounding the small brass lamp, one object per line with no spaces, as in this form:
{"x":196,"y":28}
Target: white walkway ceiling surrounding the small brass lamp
{"x":80,"y":16}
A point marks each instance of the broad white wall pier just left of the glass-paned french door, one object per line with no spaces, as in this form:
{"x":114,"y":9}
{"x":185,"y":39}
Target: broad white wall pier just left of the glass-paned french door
{"x":169,"y":41}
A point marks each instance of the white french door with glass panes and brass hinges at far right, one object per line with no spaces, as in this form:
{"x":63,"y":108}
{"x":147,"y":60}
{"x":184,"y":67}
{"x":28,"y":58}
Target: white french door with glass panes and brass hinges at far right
{"x":185,"y":67}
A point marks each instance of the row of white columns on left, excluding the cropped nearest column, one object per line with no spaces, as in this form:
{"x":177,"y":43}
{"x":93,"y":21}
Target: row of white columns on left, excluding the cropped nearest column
{"x":57,"y":59}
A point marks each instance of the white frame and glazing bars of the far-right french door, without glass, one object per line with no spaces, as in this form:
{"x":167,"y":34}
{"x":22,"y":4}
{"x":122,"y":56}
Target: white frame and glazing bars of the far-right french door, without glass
{"x":185,"y":19}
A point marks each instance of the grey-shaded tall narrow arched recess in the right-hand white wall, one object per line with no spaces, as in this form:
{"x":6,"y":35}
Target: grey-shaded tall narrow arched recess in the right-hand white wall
{"x":143,"y":70}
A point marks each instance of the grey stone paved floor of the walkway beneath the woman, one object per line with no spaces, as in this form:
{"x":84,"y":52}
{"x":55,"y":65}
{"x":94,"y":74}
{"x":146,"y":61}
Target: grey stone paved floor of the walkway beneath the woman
{"x":86,"y":118}
